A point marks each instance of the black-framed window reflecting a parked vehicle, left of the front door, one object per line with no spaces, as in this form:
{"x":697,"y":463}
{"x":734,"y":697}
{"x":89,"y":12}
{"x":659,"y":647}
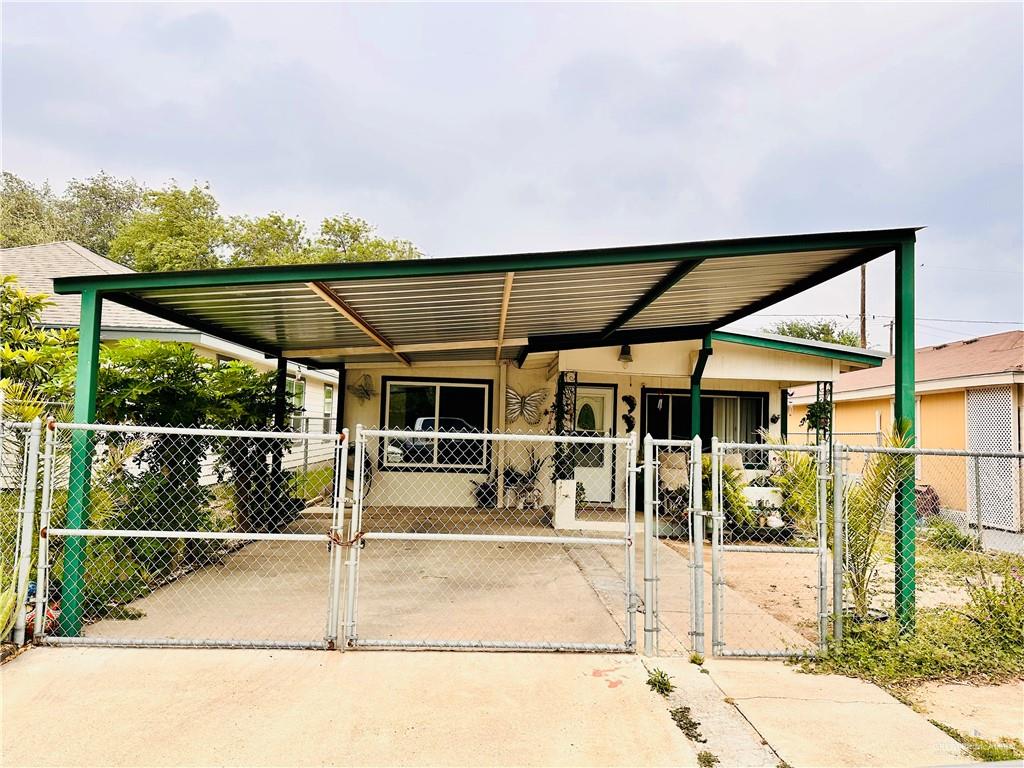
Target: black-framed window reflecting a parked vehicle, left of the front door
{"x":436,"y":407}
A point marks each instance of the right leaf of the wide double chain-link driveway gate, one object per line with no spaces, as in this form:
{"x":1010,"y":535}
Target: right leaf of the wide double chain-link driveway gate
{"x":492,"y":541}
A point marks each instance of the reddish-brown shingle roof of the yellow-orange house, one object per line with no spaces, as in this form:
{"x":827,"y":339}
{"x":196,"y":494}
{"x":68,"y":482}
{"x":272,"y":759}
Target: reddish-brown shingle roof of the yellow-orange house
{"x":998,"y":354}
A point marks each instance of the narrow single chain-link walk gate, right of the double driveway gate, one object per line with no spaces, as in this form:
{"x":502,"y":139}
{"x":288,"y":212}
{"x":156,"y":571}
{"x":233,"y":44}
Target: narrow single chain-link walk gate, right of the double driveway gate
{"x":770,"y":549}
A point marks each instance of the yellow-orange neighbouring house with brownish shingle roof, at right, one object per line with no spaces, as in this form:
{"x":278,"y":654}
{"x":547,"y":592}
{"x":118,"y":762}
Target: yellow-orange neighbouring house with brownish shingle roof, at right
{"x":970,"y":397}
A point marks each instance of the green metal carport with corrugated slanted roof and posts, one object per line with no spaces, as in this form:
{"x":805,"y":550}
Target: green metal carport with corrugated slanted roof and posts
{"x":497,"y":309}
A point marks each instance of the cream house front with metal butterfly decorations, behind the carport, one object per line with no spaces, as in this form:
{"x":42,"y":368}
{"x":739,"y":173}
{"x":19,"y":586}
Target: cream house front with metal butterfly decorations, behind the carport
{"x":618,"y":391}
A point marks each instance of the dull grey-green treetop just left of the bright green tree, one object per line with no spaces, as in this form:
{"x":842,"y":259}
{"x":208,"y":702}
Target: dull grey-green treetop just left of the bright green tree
{"x":93,"y":210}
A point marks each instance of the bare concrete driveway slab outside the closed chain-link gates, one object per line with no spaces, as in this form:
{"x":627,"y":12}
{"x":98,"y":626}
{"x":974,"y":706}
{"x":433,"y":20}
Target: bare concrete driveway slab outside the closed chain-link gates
{"x":116,"y":707}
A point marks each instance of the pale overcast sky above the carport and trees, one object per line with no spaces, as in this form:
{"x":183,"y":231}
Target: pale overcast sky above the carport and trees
{"x":491,"y":129}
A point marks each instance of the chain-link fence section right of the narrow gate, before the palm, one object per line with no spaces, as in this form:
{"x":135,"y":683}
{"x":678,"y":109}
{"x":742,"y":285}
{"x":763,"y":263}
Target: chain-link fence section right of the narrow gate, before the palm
{"x":965,"y":511}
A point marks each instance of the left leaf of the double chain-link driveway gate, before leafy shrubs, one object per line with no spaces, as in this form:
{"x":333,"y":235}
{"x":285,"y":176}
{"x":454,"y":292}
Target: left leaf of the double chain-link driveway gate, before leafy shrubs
{"x":183,"y":537}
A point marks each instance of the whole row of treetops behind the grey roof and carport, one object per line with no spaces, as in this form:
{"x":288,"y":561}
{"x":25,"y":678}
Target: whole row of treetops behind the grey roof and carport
{"x":178,"y":228}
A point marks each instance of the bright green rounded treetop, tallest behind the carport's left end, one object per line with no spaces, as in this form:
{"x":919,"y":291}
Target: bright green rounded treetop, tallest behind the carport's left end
{"x":176,"y":230}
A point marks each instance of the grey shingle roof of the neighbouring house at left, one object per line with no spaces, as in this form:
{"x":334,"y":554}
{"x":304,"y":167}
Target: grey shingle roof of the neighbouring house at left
{"x":36,"y":267}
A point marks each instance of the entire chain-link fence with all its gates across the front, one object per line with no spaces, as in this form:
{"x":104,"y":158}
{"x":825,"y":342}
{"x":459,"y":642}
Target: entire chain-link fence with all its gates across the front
{"x":191,"y":537}
